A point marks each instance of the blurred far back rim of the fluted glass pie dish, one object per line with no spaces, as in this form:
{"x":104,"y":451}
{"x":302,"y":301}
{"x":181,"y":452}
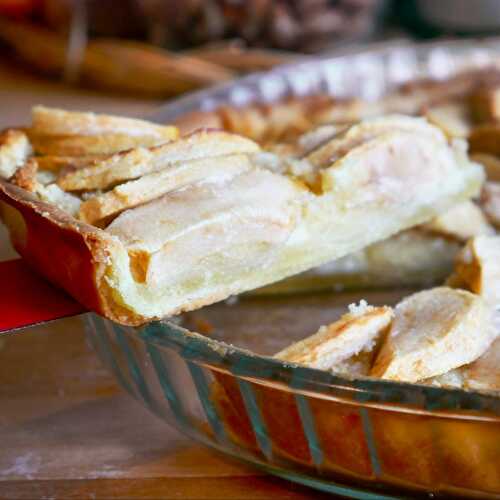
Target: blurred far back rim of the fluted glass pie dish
{"x":209,"y":99}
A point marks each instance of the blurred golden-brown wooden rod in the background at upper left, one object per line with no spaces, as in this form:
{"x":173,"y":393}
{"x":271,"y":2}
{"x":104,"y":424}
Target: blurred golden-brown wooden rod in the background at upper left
{"x":117,"y":65}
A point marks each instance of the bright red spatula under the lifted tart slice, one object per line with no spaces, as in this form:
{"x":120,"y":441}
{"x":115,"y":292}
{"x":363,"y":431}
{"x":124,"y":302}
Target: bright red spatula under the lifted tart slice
{"x":27,"y":299}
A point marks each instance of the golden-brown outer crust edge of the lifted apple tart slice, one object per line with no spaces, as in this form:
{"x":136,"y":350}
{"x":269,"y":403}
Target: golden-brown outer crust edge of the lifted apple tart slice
{"x":79,"y":253}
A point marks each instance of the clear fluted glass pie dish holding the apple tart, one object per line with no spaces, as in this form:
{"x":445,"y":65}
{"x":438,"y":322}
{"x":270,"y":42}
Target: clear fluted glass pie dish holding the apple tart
{"x":360,"y":438}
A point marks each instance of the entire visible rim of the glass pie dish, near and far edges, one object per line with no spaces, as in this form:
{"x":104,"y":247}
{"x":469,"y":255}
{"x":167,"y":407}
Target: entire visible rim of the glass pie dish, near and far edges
{"x":436,"y":60}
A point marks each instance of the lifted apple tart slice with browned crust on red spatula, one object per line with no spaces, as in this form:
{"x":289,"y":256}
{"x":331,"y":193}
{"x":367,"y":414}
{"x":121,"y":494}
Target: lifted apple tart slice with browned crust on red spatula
{"x":157,"y":230}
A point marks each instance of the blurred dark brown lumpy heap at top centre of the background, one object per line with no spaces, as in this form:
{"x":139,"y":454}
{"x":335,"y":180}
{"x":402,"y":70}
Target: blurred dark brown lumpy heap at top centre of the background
{"x":303,"y":25}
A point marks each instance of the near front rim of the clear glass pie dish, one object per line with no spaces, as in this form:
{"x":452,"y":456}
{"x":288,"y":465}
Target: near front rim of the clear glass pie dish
{"x":362,"y":391}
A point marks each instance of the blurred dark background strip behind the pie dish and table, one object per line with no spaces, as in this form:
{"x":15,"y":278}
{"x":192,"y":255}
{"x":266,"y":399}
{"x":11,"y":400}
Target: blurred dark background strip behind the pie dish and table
{"x":154,"y":49}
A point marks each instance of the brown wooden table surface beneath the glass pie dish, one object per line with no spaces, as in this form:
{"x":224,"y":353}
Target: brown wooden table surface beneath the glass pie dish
{"x":66,"y":429}
